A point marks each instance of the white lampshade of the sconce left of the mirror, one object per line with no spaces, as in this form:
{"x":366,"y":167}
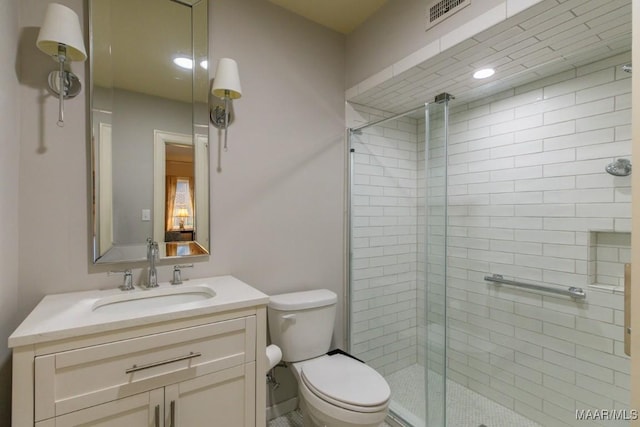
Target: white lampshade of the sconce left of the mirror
{"x":61,"y":26}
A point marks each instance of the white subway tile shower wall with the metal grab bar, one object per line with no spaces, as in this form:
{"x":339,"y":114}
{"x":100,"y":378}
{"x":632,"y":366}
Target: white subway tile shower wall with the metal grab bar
{"x":530,"y":200}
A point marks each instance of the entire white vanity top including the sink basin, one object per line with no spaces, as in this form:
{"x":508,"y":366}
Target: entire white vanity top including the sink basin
{"x":75,"y":314}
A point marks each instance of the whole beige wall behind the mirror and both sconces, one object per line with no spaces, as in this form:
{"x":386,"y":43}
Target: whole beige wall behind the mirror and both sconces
{"x":276,"y":208}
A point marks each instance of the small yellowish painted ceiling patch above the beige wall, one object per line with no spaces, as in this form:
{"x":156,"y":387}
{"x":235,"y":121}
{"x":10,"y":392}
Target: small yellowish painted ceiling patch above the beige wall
{"x":342,"y":16}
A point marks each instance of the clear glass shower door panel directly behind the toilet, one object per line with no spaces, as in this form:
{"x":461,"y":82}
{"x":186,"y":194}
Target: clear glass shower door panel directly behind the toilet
{"x":397,"y":257}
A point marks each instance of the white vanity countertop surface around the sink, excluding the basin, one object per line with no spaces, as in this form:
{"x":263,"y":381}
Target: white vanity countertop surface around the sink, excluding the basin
{"x":61,"y":316}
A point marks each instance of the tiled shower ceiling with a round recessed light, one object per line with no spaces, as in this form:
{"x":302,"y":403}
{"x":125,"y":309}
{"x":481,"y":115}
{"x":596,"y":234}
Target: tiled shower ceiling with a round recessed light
{"x":543,"y":40}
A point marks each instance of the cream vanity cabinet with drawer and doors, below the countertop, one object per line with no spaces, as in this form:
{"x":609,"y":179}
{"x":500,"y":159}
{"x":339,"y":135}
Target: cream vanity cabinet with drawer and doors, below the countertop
{"x":171,"y":370}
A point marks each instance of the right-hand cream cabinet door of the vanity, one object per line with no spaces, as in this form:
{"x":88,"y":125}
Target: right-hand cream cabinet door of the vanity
{"x":224,"y":399}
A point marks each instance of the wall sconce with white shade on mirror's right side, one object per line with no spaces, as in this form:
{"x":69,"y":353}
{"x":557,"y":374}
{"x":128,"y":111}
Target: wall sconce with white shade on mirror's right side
{"x":226,"y":86}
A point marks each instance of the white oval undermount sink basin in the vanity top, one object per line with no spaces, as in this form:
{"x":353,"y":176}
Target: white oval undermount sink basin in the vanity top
{"x":152,"y":299}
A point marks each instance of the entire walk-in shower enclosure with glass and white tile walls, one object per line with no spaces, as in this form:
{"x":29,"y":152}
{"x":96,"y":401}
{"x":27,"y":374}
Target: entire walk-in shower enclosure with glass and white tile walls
{"x":488,"y":246}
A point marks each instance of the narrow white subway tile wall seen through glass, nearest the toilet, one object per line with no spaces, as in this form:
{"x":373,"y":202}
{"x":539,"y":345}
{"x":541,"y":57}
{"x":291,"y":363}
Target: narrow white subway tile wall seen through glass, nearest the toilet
{"x":384,"y":242}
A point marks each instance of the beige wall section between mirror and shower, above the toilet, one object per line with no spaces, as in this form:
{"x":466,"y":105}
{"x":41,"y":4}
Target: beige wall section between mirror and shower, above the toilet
{"x":277,"y":205}
